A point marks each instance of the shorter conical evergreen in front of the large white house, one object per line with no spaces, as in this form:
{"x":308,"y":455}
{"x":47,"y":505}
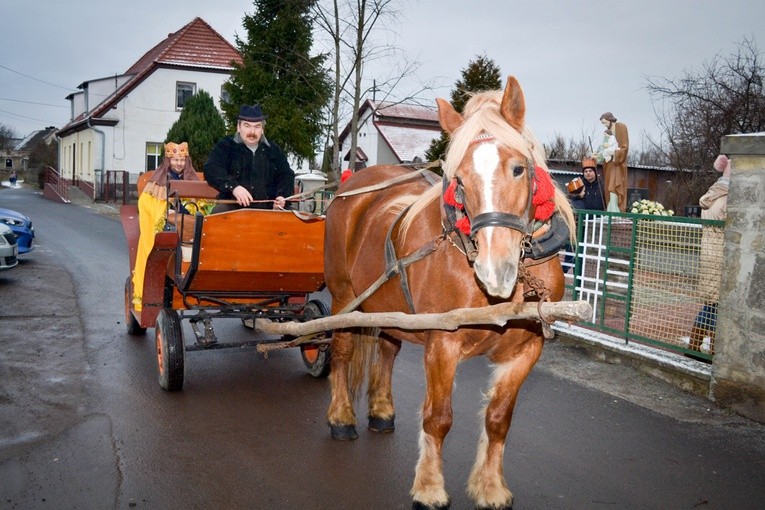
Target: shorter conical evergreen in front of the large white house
{"x":201,"y":125}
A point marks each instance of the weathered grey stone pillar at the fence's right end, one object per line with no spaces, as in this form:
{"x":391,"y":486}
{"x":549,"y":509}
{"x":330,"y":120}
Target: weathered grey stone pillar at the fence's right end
{"x":738,"y":372}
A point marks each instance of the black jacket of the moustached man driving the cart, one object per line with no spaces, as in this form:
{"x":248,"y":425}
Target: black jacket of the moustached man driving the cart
{"x":266,"y":173}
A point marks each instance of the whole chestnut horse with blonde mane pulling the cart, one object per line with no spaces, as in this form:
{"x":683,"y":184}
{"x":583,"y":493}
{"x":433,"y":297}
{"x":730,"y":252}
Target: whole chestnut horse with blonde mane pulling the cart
{"x":492,"y":174}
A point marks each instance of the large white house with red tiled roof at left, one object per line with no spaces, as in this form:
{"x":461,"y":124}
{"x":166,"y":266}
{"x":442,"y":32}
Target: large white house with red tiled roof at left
{"x":120,"y":122}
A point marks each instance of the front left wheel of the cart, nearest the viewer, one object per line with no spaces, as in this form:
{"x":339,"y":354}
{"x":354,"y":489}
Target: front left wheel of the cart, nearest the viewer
{"x":170,"y":350}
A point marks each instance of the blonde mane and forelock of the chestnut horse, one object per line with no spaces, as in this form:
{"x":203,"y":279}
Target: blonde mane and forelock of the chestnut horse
{"x":482,"y":115}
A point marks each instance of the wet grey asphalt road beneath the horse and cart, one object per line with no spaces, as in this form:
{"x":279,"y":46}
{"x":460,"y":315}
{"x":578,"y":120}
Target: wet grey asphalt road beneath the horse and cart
{"x":84,"y":424}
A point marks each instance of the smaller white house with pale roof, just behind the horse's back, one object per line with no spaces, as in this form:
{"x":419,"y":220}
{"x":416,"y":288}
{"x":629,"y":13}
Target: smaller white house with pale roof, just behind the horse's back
{"x":391,"y":133}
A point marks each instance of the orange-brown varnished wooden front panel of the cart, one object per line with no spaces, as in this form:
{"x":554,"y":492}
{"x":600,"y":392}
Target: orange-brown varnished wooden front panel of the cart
{"x":248,"y":249}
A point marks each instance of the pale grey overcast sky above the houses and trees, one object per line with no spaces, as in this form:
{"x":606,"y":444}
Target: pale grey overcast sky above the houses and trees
{"x":574,"y":59}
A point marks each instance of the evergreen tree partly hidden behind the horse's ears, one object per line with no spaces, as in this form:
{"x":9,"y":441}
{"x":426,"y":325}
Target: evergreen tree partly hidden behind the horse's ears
{"x":481,"y":74}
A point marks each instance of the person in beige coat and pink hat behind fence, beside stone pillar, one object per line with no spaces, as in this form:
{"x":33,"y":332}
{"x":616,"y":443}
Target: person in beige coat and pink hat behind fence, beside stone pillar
{"x":713,"y":207}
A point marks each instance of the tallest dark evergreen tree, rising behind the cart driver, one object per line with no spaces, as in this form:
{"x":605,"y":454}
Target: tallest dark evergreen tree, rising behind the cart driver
{"x":279,"y":73}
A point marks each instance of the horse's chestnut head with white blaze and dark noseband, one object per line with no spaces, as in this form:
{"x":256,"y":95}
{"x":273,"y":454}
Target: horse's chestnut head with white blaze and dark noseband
{"x":491,"y":160}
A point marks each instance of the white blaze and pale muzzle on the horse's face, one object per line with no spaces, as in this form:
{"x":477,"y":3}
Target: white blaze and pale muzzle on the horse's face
{"x":498,"y":247}
